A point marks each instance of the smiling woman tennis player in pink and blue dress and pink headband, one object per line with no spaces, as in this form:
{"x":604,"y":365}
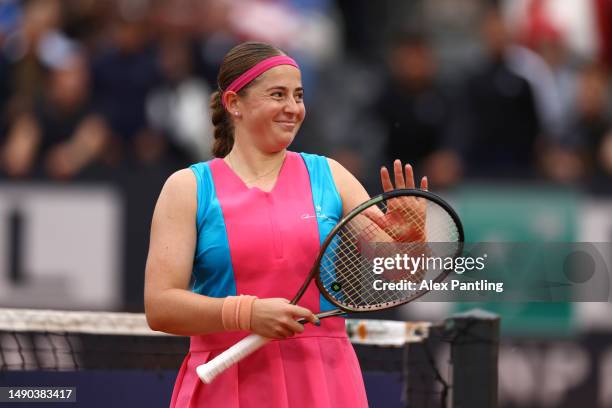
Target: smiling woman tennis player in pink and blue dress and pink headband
{"x":247,"y":226}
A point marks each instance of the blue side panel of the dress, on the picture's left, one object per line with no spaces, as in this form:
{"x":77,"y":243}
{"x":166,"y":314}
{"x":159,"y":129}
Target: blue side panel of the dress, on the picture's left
{"x":212,"y":268}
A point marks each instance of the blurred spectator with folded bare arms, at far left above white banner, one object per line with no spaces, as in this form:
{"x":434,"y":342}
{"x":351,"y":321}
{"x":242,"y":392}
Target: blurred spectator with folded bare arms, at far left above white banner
{"x":62,"y":134}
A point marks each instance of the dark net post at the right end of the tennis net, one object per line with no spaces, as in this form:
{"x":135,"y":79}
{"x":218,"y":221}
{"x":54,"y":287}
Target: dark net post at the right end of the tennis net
{"x":474,"y":354}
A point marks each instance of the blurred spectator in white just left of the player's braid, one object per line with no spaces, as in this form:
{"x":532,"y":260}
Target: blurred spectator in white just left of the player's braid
{"x":178,"y":108}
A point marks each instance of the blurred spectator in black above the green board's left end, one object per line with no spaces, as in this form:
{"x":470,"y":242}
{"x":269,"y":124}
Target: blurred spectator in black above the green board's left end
{"x":498,"y":125}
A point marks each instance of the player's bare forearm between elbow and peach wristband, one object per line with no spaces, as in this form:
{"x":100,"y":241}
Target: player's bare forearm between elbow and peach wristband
{"x":184,"y":313}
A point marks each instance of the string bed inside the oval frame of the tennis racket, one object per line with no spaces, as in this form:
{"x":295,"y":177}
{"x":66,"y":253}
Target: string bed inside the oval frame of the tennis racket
{"x":407,"y":226}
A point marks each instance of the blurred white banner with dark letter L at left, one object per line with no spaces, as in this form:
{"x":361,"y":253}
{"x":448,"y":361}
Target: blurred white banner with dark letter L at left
{"x":60,"y":247}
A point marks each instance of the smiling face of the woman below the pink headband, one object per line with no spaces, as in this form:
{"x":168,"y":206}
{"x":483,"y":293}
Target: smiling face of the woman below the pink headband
{"x":272,"y":109}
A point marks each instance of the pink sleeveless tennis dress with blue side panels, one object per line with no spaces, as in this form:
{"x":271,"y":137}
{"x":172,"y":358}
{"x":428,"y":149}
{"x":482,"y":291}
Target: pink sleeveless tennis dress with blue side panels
{"x":264,"y":243}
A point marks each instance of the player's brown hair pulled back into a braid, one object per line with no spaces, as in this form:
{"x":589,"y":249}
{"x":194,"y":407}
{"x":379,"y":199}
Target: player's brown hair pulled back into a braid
{"x":238,"y":60}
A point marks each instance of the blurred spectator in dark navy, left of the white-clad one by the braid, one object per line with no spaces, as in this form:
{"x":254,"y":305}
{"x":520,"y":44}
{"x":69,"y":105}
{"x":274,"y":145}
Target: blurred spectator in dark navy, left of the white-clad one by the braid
{"x":123,"y":75}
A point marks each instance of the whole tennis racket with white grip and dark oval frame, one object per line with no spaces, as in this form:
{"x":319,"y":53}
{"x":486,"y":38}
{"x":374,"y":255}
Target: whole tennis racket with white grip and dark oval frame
{"x":362,"y":264}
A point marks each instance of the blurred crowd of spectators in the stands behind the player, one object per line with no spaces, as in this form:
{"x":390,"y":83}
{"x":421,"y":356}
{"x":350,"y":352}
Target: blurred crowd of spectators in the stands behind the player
{"x":462,"y":89}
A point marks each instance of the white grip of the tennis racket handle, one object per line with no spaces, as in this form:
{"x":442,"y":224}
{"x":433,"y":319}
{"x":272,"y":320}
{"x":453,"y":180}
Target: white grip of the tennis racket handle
{"x":208,"y":371}
